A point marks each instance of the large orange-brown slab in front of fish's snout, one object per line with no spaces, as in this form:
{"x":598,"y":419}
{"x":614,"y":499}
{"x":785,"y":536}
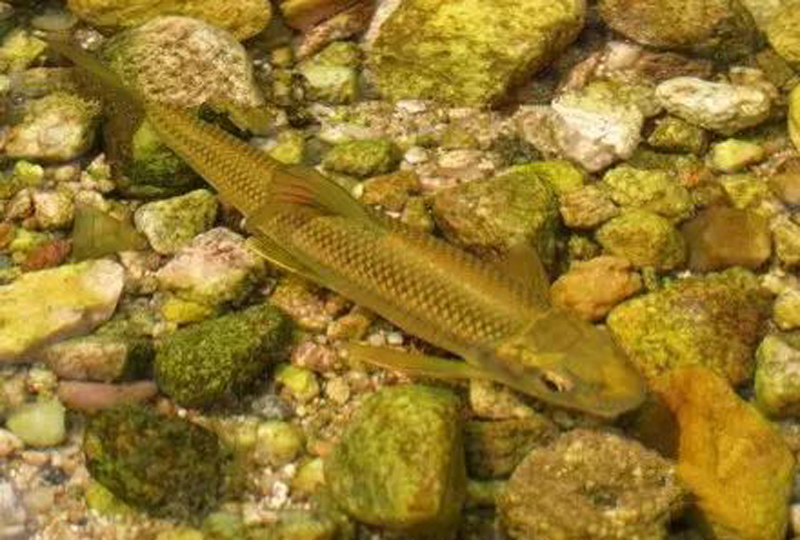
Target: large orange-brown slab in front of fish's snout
{"x":734,"y":462}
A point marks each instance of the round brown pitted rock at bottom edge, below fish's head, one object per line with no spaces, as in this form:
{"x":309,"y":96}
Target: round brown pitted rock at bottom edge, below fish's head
{"x":589,"y":484}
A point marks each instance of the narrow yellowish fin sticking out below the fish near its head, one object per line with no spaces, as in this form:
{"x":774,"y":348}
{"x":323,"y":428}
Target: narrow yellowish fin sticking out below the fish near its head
{"x":416,"y":364}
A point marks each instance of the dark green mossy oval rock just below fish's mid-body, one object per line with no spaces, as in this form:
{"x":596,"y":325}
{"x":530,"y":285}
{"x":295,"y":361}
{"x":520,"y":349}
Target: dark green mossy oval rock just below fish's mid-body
{"x":210,"y":361}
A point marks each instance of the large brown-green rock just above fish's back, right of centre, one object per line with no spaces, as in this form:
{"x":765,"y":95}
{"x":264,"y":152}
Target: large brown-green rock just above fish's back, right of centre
{"x":517,"y":206}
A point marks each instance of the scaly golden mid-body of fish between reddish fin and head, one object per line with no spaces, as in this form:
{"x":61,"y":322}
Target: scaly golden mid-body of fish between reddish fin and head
{"x":437,"y":306}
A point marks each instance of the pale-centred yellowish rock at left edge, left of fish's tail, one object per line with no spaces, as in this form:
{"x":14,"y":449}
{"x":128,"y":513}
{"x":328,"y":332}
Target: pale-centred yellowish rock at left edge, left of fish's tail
{"x":58,"y":127}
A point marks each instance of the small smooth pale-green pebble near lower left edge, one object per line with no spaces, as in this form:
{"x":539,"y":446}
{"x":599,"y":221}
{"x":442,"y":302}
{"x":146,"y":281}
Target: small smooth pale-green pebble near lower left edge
{"x":40,"y":424}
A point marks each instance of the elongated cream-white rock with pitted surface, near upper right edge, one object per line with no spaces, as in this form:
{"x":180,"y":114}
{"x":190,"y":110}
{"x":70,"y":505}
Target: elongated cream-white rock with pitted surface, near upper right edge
{"x":721,"y":107}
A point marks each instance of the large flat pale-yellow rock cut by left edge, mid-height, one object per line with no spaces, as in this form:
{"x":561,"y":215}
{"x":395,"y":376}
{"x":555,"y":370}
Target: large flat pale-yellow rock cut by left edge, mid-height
{"x":45,"y":306}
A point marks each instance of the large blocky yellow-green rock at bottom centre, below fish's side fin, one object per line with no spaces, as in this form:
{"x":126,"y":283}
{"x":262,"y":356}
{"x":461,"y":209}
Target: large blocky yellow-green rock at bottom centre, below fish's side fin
{"x":400,"y":462}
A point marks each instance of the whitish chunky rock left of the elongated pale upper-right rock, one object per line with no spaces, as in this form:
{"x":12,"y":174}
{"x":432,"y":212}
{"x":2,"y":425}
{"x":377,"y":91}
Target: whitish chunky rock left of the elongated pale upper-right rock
{"x":597,"y":126}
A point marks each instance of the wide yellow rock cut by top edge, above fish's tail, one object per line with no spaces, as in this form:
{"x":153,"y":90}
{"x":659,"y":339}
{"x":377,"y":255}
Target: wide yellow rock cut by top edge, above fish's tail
{"x":243,"y":18}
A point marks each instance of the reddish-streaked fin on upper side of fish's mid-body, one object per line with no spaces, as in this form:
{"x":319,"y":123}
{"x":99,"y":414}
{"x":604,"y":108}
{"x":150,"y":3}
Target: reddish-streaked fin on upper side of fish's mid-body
{"x":305,"y":187}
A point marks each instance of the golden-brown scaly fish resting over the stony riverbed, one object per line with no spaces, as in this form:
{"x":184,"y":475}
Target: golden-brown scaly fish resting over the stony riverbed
{"x":496,"y":316}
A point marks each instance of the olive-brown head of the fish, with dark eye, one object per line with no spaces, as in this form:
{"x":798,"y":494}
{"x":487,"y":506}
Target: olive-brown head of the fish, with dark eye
{"x":571,"y":363}
